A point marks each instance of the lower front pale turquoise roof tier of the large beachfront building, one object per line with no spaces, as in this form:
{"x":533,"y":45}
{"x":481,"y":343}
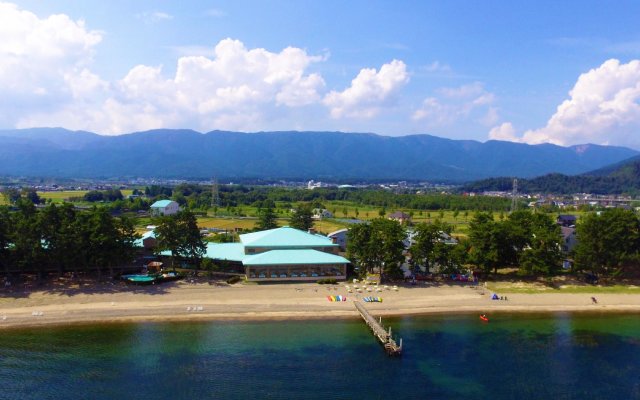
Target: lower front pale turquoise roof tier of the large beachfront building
{"x":297,"y":257}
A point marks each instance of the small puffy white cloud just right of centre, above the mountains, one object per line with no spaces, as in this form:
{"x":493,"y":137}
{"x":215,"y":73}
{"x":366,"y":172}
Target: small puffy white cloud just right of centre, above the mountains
{"x":369,"y":92}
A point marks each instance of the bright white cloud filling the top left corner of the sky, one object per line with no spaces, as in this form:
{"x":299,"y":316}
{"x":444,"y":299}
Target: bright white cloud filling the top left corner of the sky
{"x":42,"y":60}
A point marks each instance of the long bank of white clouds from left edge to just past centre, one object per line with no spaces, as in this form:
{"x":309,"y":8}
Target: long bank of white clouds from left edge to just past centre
{"x":46,"y":79}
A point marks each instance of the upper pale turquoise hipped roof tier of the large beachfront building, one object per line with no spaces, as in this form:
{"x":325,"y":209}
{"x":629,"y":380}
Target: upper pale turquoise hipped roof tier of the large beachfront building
{"x":284,"y":237}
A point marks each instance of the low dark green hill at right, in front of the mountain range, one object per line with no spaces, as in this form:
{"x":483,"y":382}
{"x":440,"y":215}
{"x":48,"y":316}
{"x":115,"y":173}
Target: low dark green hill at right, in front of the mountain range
{"x":622,"y":177}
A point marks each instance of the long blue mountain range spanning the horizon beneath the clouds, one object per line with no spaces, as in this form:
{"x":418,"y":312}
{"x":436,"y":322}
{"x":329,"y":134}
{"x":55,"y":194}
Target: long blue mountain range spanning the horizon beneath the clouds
{"x":165,"y":153}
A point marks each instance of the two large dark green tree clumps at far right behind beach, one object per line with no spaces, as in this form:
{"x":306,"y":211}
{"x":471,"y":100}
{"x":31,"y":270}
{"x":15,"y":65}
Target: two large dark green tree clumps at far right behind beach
{"x":608,"y":243}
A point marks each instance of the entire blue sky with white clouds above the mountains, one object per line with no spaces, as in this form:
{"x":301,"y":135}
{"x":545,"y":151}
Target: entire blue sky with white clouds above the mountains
{"x":564,"y":72}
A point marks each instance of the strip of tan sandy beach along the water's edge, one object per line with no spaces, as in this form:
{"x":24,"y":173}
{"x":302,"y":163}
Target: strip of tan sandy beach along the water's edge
{"x":182,"y":301}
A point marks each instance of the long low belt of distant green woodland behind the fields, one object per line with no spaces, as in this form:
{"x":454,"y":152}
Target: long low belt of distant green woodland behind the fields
{"x":199,"y":197}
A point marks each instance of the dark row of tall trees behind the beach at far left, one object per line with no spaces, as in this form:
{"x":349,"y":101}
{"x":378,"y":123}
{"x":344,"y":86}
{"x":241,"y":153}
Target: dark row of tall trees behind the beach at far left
{"x":63,"y":239}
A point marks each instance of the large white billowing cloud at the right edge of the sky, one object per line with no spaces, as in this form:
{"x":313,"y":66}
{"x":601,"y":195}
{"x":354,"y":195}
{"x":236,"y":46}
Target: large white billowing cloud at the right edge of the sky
{"x":603,"y":108}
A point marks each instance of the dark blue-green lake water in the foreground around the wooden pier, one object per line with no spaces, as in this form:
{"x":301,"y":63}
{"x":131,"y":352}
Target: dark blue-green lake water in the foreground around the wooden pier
{"x":558,"y":356}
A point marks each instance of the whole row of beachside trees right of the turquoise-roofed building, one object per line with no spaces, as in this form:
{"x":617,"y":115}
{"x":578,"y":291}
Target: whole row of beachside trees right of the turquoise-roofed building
{"x":608,"y":245}
